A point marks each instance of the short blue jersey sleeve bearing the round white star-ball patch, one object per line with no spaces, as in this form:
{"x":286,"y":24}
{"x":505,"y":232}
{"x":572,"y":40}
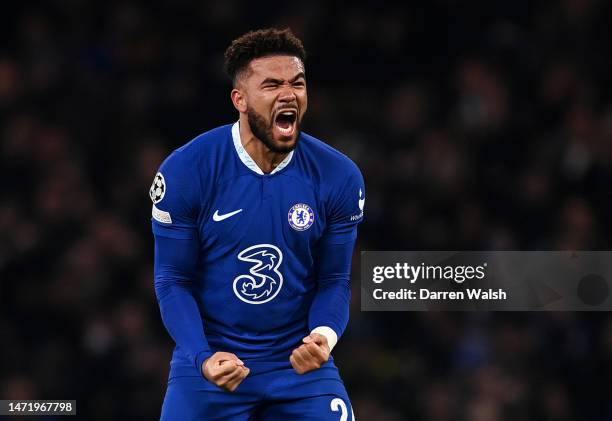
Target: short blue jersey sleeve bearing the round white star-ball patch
{"x":175,"y":195}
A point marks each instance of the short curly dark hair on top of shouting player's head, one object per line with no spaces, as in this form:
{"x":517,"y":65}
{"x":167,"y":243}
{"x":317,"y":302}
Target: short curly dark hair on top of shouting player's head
{"x":260,"y":43}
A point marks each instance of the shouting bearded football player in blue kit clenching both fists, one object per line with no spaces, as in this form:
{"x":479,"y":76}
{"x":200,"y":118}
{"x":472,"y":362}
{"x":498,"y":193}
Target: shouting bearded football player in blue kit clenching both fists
{"x":254,"y":226}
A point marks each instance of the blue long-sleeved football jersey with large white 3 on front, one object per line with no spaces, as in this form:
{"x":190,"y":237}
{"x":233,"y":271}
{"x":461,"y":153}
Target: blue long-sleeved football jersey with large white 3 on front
{"x":256,"y":245}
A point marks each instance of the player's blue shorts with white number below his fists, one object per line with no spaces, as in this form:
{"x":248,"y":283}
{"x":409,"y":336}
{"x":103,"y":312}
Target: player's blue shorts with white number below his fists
{"x":276,"y":395}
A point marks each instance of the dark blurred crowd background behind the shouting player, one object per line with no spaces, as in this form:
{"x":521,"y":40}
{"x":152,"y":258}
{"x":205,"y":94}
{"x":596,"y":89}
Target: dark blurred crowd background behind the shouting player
{"x":477,"y":125}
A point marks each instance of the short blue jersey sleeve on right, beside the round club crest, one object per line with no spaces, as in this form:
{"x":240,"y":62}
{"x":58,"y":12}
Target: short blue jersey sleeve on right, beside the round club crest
{"x":346,"y":207}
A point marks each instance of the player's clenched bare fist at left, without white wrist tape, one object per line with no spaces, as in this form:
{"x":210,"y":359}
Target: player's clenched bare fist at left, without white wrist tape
{"x":225,"y":370}
